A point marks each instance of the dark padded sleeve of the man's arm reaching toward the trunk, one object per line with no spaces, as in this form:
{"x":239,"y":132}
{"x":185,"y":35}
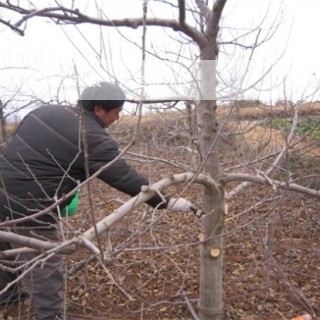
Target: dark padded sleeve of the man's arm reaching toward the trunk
{"x":120,"y":174}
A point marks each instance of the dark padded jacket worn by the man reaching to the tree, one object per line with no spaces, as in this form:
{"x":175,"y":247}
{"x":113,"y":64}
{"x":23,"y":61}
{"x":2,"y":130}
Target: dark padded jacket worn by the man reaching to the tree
{"x":45,"y":158}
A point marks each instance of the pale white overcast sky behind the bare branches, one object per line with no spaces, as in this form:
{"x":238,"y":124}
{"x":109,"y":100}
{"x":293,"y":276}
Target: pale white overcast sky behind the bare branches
{"x":39,"y":60}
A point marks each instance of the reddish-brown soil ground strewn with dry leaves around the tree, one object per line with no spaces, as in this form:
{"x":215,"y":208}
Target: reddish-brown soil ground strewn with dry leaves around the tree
{"x":272,"y":245}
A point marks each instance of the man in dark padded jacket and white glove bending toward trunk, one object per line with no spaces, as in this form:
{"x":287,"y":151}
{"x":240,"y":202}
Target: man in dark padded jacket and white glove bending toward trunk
{"x":53,"y":149}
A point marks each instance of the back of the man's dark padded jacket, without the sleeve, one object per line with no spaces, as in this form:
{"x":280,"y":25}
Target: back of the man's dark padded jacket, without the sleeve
{"x":42,"y":159}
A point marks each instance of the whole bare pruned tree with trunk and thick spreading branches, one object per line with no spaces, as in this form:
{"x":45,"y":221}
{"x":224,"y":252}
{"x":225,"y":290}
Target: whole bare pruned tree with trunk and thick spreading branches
{"x":198,"y":23}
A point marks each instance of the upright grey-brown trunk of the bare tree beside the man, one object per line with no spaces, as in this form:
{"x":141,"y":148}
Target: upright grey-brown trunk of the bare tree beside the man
{"x":211,"y":305}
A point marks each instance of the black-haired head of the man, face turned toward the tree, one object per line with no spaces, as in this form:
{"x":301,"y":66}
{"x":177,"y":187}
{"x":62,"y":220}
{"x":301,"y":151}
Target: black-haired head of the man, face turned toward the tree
{"x":105,"y":100}
